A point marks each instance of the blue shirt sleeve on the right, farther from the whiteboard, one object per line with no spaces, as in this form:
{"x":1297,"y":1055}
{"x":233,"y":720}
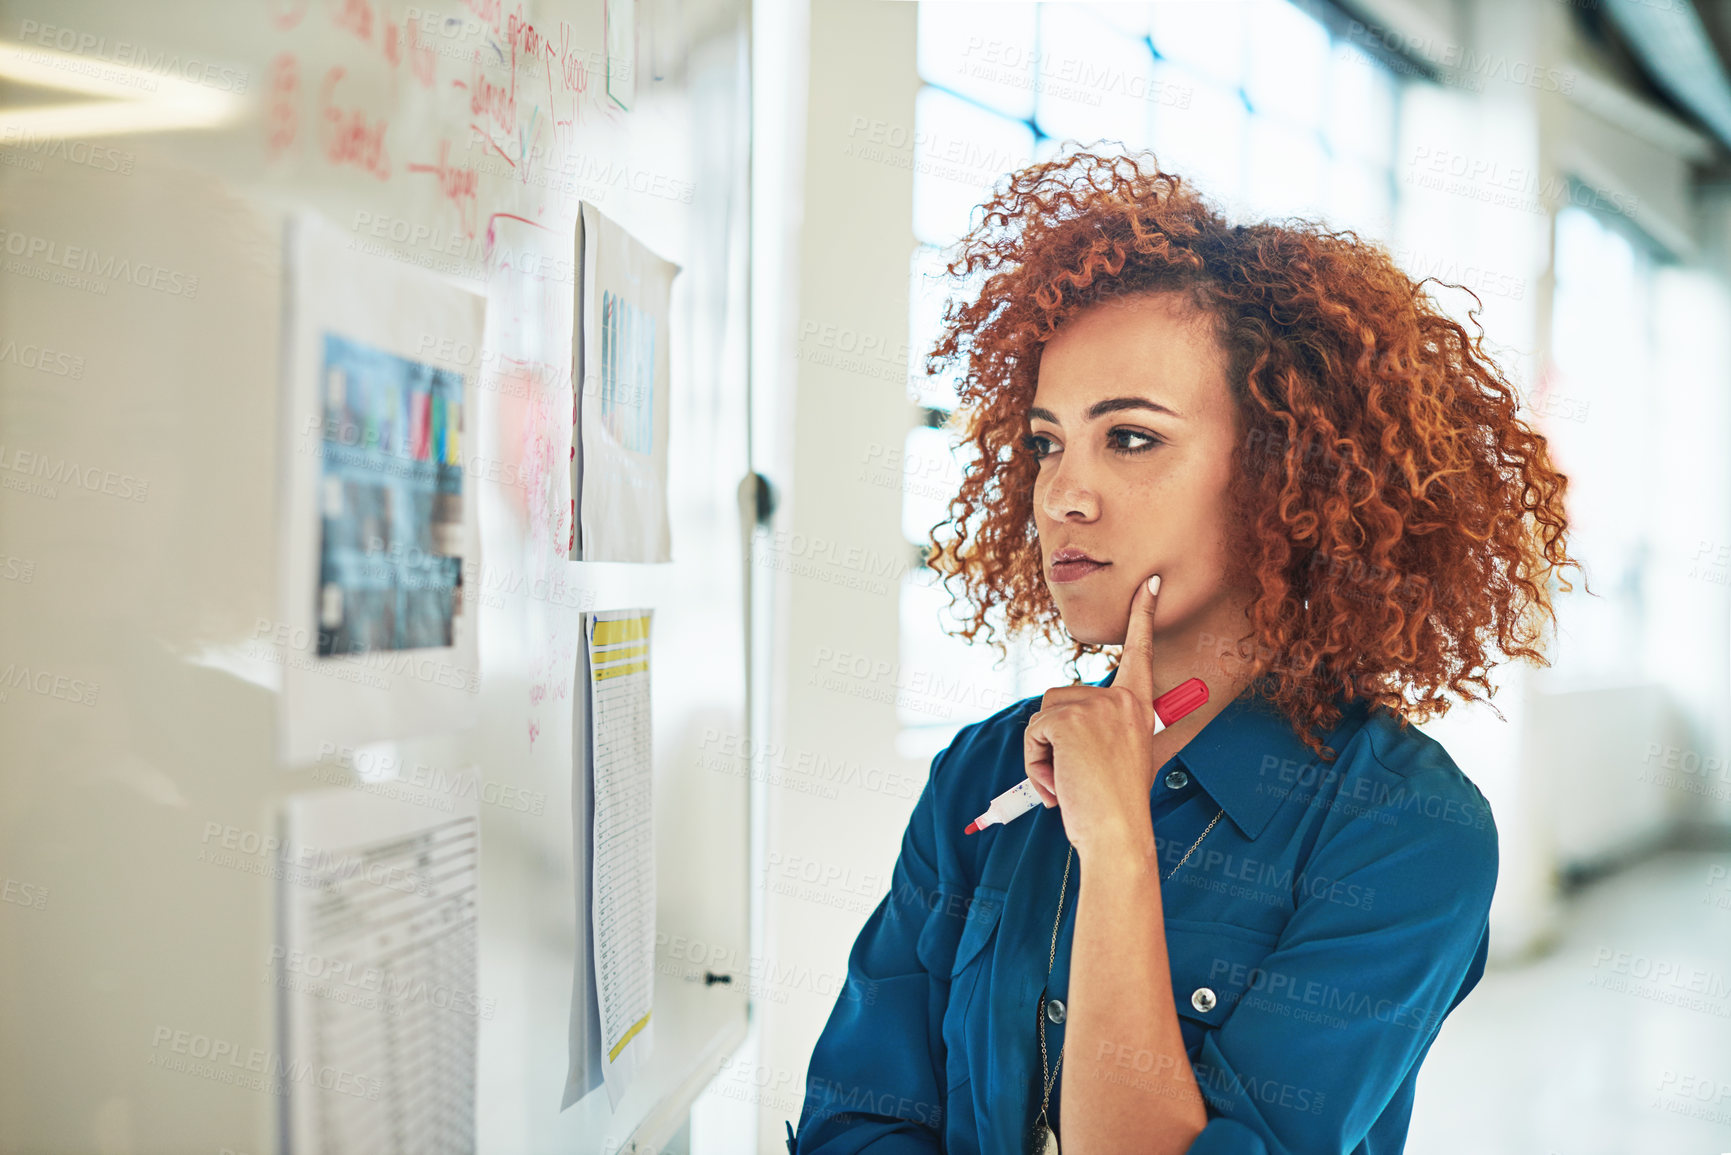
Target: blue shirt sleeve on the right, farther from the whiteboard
{"x":1349,"y":1002}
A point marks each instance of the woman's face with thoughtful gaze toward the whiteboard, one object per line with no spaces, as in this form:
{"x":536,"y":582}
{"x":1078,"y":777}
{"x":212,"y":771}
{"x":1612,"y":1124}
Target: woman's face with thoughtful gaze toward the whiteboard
{"x":1136,"y":437}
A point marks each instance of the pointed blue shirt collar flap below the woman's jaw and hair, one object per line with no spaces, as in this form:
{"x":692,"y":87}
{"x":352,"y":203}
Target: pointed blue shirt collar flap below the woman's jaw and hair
{"x":1249,"y":756}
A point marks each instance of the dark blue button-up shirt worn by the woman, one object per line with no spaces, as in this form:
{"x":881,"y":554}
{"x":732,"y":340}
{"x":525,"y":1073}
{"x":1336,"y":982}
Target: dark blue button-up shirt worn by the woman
{"x":1318,"y":938}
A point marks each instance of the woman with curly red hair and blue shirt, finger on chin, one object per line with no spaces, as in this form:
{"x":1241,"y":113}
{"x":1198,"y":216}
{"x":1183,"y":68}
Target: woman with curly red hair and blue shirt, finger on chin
{"x":1263,"y":458}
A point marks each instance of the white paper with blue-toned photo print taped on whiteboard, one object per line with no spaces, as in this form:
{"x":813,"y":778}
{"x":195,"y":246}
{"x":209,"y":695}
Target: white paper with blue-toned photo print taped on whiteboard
{"x":376,"y":628}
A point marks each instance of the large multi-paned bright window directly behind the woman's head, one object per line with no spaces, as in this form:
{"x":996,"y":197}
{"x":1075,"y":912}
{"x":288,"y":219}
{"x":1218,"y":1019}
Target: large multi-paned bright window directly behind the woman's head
{"x":1258,"y":103}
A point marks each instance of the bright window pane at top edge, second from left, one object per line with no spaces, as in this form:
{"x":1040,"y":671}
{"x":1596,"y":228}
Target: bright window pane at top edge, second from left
{"x":1093,"y":81}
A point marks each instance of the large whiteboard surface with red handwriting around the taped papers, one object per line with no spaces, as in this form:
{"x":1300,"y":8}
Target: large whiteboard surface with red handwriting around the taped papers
{"x":146,"y":188}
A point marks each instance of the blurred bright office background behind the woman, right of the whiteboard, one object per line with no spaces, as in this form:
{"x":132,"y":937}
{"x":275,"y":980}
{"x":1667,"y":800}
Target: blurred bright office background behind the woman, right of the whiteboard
{"x":1564,"y":162}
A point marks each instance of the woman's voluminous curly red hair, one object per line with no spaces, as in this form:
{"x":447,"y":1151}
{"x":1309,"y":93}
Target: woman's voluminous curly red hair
{"x":1398,"y":517}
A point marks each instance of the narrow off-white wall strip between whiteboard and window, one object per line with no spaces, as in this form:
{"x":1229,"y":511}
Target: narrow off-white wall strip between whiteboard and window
{"x":839,"y":546}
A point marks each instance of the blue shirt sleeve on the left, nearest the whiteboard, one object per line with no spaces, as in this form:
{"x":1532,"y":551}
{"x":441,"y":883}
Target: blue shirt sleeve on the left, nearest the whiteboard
{"x":873,"y":1083}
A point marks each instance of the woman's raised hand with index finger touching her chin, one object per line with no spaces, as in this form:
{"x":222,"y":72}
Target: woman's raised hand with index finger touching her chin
{"x":1091,"y":749}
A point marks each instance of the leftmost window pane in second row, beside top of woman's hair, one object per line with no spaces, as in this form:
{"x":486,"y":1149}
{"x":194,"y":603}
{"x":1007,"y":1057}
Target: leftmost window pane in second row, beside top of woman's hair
{"x":963,"y":152}
